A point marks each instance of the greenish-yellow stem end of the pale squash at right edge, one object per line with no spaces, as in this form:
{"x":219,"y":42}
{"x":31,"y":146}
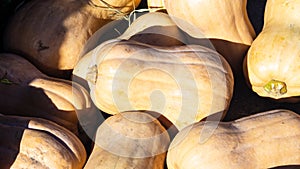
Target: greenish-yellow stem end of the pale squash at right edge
{"x":276,"y":87}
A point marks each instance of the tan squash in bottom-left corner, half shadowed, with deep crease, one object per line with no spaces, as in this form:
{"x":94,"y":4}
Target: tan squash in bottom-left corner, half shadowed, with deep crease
{"x":38,"y":143}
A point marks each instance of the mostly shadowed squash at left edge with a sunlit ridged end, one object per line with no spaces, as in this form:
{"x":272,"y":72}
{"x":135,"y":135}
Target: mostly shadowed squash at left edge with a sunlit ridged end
{"x":25,"y":91}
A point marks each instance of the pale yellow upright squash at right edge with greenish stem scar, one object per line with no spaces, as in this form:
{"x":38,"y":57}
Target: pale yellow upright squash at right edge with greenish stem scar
{"x":272,"y":63}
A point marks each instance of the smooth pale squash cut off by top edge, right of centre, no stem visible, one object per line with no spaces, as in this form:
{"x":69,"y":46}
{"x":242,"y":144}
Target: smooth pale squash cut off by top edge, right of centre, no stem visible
{"x":202,"y":16}
